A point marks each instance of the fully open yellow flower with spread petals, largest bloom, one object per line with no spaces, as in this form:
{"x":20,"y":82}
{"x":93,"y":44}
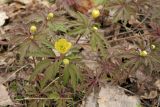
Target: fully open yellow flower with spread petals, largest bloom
{"x":62,"y":46}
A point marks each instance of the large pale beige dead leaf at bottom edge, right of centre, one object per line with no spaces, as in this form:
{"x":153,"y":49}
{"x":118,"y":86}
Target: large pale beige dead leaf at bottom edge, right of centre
{"x":112,"y":96}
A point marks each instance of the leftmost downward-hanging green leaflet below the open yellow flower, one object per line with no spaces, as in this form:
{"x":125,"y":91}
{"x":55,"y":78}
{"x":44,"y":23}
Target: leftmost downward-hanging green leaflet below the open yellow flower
{"x":39,"y":68}
